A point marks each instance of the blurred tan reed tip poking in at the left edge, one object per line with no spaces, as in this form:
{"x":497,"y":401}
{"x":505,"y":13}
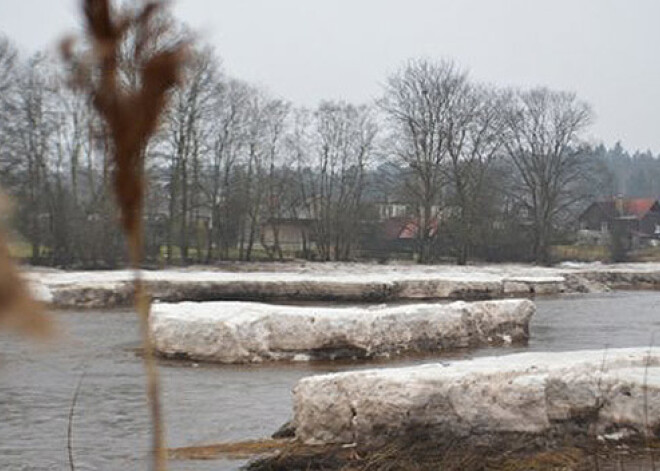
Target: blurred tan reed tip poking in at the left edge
{"x":18,"y":309}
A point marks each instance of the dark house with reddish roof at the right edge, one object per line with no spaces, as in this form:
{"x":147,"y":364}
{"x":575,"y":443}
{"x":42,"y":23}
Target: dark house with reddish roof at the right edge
{"x":635,"y":220}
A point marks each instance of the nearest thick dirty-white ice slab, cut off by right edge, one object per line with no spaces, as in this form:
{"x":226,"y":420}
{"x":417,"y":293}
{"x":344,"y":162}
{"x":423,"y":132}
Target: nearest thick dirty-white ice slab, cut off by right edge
{"x":614,"y":392}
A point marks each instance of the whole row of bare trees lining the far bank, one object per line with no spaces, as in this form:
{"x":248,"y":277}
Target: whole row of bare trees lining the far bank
{"x":481,"y":167}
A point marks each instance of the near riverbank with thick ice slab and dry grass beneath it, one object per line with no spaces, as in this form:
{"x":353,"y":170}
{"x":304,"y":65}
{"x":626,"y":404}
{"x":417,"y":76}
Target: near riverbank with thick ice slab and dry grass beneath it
{"x":518,"y":412}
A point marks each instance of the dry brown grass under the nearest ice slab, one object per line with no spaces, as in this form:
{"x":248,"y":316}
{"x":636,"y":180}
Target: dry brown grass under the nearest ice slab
{"x":517,"y":453}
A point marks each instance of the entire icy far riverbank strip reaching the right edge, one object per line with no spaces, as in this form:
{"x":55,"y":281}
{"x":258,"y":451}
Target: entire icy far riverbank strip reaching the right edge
{"x":339,"y":283}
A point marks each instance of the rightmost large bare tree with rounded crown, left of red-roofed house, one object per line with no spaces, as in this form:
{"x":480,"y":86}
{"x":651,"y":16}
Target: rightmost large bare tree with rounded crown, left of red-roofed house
{"x":543,"y":140}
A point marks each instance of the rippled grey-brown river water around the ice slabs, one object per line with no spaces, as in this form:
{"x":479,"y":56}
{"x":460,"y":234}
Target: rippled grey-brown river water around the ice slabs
{"x":206,"y":403}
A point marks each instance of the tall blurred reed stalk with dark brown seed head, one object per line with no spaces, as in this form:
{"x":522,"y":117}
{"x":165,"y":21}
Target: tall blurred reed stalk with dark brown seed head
{"x":131,"y":116}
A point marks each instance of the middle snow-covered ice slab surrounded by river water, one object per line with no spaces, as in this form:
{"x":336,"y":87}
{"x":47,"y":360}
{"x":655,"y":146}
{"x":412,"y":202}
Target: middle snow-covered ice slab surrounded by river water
{"x":240,"y":332}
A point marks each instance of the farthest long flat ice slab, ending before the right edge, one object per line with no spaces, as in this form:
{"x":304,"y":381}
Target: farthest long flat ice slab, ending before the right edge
{"x":348,"y":283}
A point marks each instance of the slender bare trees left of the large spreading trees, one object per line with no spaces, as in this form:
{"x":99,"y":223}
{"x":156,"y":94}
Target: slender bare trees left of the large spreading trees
{"x":228,"y":157}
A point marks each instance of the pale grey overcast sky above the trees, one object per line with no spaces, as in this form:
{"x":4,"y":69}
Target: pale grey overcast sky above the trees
{"x":608,"y":51}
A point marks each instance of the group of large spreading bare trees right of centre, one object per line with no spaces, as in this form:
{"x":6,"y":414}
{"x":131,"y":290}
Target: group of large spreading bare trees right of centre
{"x":473,"y":151}
